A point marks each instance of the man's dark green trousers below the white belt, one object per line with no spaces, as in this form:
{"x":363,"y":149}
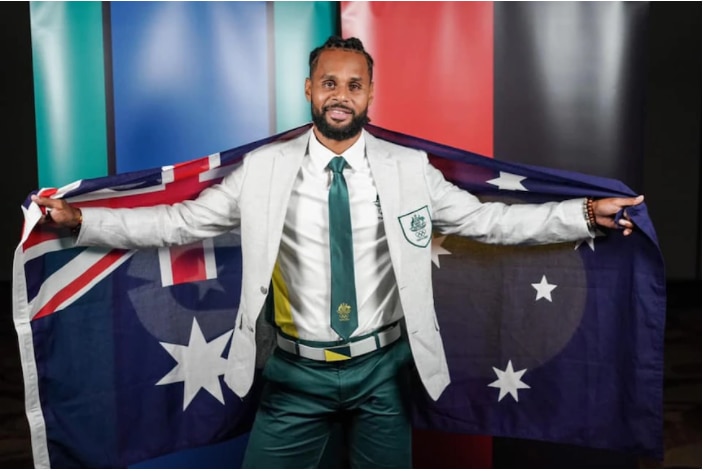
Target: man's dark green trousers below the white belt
{"x":304,"y":401}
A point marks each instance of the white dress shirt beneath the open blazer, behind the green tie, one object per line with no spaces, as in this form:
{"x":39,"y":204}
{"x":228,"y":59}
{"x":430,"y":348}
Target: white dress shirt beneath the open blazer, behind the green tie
{"x":302,"y":275}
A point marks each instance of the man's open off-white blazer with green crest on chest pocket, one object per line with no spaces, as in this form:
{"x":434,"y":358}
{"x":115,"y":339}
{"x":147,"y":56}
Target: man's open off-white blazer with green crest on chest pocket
{"x":414,"y":198}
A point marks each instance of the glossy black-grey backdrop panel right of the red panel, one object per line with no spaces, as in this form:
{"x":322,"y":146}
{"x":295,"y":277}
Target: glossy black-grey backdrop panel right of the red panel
{"x":569,"y":86}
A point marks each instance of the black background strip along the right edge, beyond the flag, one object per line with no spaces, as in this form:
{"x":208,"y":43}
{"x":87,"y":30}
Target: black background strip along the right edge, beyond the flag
{"x":673,"y":158}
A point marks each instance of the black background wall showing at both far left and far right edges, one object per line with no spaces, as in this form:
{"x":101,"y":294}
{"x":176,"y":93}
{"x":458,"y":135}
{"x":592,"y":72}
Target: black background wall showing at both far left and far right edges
{"x":672,"y":162}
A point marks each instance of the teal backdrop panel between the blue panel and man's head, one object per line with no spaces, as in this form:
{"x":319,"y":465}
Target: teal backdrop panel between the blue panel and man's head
{"x":299,"y":28}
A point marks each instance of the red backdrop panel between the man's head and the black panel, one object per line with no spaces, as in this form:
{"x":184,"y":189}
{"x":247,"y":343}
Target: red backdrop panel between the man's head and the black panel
{"x":433,"y":79}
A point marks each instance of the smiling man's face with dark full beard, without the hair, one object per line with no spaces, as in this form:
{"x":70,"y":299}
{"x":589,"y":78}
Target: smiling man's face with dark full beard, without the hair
{"x":340,"y":91}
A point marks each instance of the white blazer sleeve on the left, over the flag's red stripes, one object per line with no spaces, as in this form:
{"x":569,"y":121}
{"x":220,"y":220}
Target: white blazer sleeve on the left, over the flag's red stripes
{"x":215,"y":211}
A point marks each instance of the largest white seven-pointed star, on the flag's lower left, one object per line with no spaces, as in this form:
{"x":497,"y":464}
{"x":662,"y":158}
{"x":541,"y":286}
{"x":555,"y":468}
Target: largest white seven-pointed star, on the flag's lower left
{"x":199,"y":364}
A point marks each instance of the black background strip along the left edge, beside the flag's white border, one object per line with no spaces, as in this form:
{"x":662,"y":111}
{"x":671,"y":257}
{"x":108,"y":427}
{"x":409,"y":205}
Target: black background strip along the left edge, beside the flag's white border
{"x":19,"y":154}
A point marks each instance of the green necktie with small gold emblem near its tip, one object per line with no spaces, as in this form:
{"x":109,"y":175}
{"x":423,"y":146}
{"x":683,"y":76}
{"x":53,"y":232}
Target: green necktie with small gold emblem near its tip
{"x":344,"y":308}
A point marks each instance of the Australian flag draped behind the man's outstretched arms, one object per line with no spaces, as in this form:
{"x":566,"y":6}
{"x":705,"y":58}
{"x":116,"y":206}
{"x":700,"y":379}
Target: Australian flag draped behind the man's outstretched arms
{"x":124,"y":351}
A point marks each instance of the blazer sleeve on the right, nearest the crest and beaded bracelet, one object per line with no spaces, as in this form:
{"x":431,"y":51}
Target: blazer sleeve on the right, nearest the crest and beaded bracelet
{"x":455,"y":211}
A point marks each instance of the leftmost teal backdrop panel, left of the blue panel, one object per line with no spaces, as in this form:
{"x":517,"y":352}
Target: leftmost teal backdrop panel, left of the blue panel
{"x":69,"y":90}
